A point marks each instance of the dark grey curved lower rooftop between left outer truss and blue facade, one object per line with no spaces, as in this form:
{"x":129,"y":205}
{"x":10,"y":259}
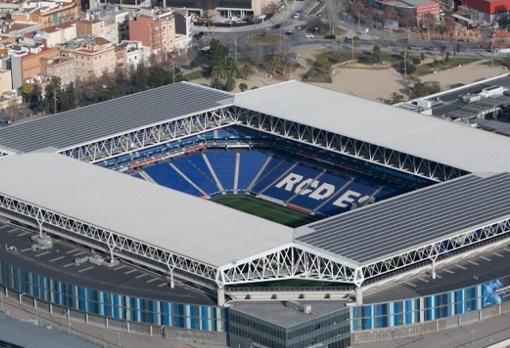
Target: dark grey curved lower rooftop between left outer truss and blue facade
{"x":58,"y":263}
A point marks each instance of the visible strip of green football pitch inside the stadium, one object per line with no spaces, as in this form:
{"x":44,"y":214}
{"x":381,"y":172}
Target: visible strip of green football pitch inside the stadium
{"x":266,"y":210}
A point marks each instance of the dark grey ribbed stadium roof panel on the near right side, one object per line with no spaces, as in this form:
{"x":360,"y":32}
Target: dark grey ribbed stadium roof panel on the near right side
{"x":412,"y":220}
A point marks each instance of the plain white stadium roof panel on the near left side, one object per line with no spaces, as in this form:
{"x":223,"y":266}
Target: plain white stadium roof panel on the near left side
{"x":175,"y":221}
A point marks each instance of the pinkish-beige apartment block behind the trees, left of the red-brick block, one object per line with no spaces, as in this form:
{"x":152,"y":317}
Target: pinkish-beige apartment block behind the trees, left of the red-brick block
{"x":93,"y":55}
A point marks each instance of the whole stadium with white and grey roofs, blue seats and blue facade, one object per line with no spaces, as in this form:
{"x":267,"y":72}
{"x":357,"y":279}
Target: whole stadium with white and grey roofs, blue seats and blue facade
{"x":253,"y":219}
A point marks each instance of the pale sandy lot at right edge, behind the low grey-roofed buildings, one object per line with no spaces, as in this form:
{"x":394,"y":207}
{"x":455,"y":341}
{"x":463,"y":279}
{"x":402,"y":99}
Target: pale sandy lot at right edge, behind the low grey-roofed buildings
{"x":465,"y":74}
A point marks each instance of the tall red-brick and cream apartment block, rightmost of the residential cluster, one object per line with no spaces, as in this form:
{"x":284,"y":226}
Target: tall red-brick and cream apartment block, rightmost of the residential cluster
{"x":155,"y":29}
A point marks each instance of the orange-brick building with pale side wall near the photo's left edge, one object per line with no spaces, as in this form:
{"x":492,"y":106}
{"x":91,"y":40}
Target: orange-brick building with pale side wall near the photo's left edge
{"x":27,"y":64}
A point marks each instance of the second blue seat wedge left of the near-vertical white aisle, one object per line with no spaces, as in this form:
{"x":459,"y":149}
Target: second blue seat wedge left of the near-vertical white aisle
{"x":195,"y":169}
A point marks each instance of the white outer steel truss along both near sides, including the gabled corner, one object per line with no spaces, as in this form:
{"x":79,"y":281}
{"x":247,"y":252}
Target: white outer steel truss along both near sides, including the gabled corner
{"x":291,"y":261}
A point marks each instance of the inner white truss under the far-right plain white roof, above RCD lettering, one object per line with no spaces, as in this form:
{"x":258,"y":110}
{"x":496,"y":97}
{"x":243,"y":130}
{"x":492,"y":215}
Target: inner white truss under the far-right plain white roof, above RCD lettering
{"x":346,"y":146}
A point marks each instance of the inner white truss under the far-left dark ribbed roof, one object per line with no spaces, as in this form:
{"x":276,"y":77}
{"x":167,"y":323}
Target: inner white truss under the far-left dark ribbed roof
{"x":151,"y":135}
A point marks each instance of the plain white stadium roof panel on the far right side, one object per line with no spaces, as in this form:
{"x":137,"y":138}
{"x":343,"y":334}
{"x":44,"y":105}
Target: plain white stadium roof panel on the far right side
{"x":394,"y":128}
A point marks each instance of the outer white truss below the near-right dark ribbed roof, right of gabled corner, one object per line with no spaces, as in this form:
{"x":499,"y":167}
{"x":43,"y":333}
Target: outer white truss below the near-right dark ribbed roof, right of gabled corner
{"x":436,"y":249}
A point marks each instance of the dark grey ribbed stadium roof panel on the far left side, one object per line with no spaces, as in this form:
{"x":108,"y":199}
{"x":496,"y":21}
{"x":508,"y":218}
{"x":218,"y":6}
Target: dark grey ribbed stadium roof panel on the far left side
{"x":115,"y":116}
